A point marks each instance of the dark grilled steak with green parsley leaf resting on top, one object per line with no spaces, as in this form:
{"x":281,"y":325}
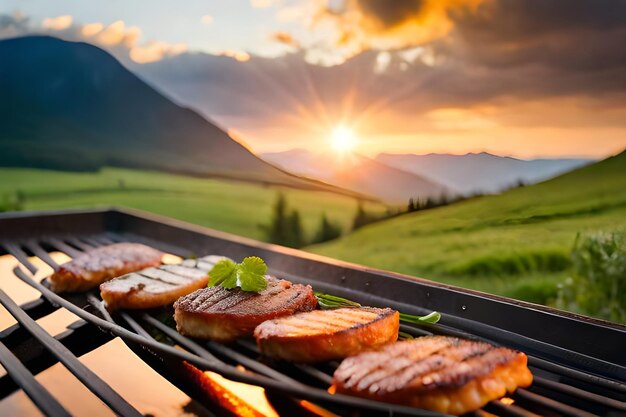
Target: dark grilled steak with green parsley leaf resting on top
{"x":225,"y":315}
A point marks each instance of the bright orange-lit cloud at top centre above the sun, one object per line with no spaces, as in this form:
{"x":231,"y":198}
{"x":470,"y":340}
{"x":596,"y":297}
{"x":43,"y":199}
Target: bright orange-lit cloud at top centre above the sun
{"x":352,"y":26}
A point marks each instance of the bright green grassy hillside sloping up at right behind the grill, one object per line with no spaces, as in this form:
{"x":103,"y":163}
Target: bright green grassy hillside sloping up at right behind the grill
{"x":515,"y":244}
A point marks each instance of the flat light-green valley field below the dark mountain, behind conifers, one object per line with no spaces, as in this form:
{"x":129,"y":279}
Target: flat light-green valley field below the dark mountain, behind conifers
{"x":231,"y":206}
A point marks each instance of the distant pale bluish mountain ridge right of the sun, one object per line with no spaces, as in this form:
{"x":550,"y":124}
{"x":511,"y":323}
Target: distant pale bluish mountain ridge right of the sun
{"x":480,"y":172}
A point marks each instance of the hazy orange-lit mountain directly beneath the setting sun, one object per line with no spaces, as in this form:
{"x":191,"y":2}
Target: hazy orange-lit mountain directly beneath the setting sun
{"x":358,"y":173}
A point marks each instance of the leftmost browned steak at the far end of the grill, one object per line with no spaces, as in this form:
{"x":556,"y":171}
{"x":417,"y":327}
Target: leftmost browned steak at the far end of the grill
{"x":101,"y":264}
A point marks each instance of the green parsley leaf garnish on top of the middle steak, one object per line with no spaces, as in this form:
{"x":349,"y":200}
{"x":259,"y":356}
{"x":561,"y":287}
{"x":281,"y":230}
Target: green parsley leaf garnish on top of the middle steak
{"x":249,"y":275}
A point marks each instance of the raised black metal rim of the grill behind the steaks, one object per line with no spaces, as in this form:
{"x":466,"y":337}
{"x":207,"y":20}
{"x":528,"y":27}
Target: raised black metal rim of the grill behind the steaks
{"x":545,"y":334}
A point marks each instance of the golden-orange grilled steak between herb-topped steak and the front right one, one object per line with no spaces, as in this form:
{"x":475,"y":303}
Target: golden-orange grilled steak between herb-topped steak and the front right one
{"x":323,"y":335}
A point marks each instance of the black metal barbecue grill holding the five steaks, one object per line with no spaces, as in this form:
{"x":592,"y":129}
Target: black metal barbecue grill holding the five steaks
{"x":579,"y":363}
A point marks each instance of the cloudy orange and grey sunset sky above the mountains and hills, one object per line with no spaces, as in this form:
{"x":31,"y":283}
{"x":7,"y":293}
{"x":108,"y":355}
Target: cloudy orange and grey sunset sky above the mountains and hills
{"x":513,"y":77}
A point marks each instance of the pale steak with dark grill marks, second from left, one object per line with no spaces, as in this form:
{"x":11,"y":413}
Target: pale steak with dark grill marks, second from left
{"x":154,"y":287}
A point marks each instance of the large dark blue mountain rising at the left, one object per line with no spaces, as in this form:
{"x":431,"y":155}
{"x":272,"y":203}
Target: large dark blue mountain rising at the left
{"x":72,"y":106}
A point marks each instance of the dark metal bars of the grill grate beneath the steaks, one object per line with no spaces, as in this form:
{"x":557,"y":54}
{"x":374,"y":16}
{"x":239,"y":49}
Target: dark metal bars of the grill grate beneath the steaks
{"x":559,"y":389}
